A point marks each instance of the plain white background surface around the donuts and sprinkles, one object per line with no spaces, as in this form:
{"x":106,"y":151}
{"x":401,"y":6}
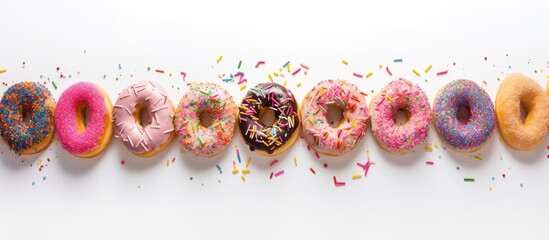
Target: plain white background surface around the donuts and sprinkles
{"x":401,"y":198}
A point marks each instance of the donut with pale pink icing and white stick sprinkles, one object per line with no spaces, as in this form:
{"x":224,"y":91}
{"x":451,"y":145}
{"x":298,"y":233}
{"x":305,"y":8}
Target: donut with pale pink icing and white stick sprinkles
{"x":154,"y":137}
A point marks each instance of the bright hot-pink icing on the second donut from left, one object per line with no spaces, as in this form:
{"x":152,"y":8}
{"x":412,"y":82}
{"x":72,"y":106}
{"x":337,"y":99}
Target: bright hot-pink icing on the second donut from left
{"x":65,"y":118}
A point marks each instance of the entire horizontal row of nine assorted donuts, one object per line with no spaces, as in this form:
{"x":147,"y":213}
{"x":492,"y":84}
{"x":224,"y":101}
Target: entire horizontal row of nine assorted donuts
{"x":29,"y":117}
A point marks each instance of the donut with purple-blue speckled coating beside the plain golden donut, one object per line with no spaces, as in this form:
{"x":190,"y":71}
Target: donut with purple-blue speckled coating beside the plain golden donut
{"x":471,"y":135}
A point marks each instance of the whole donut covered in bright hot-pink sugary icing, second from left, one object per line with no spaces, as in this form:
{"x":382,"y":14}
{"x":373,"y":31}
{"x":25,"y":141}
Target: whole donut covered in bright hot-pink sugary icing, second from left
{"x":80,"y":139}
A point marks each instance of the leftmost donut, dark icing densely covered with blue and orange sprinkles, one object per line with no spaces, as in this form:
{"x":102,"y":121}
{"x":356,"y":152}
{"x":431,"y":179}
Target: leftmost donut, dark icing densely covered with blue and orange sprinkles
{"x":36,"y":134}
